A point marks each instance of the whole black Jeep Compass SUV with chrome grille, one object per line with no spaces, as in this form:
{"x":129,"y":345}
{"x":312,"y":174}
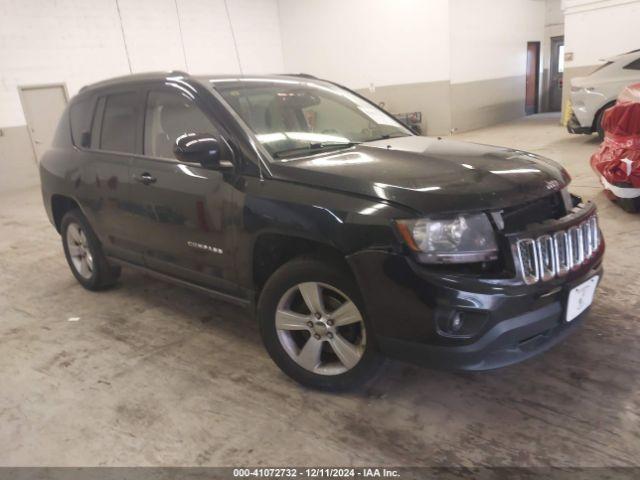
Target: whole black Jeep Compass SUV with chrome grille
{"x":348,"y":235}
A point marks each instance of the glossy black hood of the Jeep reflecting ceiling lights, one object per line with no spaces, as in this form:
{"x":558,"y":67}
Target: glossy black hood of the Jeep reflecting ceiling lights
{"x":430,"y":175}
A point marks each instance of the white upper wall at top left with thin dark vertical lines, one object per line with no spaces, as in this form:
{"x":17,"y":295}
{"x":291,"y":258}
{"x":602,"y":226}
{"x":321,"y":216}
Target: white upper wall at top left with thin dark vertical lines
{"x":79,"y":42}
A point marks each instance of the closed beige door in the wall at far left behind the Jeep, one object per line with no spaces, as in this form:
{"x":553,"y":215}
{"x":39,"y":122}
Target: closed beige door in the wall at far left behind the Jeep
{"x":43,"y":106}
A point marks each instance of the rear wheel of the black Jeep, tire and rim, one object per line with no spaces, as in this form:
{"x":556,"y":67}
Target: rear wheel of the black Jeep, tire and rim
{"x":84,"y":253}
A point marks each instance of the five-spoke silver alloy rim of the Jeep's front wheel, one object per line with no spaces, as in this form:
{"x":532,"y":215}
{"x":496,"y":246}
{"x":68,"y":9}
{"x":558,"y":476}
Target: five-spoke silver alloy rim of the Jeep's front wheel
{"x":320,"y":328}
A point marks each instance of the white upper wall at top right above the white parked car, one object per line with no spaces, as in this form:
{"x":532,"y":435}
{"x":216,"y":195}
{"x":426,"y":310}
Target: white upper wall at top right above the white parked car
{"x":599,"y":29}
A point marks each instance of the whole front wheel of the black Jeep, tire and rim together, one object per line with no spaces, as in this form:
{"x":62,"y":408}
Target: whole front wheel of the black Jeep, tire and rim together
{"x":340,"y":345}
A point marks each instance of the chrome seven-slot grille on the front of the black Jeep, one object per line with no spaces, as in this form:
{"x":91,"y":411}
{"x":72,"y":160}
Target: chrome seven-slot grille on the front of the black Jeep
{"x":548,"y":256}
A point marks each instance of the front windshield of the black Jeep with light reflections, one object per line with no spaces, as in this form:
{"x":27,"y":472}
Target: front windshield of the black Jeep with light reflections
{"x":294,"y":118}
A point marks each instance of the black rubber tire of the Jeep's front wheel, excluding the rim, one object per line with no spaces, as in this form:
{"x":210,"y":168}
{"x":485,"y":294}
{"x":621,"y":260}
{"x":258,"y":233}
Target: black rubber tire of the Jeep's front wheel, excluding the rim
{"x":313,"y":270}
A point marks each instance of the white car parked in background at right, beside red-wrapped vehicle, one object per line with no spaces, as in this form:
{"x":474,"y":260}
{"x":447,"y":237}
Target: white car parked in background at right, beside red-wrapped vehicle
{"x":593,"y":94}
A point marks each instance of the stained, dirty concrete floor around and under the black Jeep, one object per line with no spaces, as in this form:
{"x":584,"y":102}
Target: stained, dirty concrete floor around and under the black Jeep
{"x":152,"y":374}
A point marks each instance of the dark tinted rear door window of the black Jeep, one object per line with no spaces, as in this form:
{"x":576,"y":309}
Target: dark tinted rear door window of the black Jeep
{"x":120,"y":123}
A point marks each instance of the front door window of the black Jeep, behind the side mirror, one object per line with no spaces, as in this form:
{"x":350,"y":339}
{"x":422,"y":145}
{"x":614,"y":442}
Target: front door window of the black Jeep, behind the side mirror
{"x":168,"y":116}
